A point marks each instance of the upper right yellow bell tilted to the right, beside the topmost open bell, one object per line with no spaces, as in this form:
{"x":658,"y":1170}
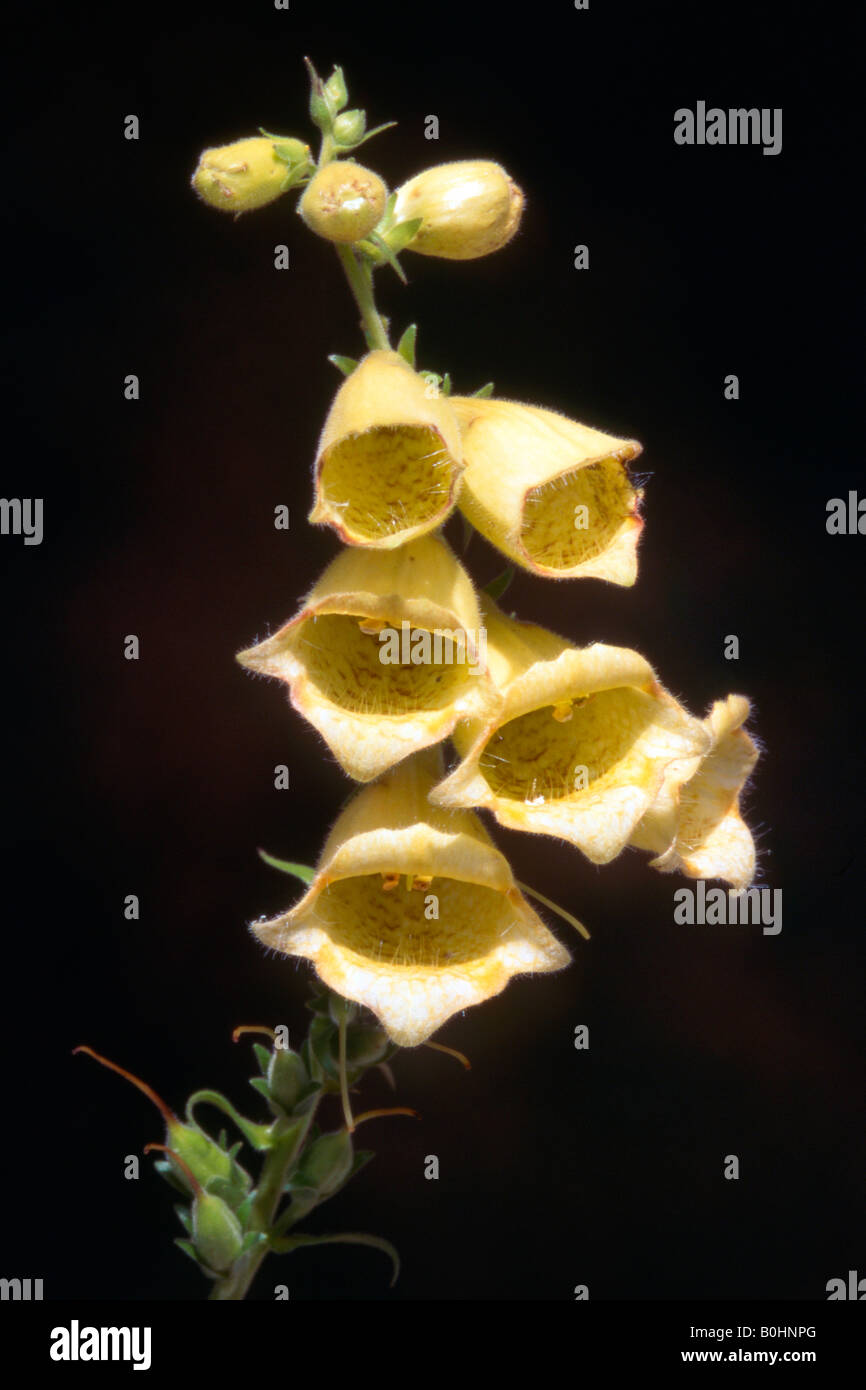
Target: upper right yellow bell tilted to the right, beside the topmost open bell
{"x":553,"y":494}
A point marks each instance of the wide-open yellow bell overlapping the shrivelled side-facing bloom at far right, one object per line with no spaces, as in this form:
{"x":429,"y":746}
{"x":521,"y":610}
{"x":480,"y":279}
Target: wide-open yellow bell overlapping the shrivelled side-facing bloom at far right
{"x":582,"y":744}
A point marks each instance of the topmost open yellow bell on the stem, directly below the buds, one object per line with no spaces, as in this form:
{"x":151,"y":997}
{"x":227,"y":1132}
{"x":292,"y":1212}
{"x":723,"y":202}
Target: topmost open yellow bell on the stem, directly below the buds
{"x":390,"y":457}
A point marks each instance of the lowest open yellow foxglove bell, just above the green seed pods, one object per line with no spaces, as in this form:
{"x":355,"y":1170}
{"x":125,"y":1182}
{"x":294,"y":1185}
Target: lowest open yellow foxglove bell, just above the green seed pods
{"x":414,"y":913}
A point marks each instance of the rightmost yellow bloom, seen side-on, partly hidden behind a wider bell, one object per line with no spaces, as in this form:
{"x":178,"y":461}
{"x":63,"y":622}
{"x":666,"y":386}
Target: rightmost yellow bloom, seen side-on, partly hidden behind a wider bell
{"x":694,"y":826}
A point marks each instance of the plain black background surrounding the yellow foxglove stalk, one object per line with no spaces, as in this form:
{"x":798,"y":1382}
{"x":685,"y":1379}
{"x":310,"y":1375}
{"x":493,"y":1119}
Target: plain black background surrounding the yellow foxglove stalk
{"x":156,"y":778}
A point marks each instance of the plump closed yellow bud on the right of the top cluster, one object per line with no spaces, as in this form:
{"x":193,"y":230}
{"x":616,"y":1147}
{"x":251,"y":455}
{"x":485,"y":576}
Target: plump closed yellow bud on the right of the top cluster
{"x":468,"y":209}
